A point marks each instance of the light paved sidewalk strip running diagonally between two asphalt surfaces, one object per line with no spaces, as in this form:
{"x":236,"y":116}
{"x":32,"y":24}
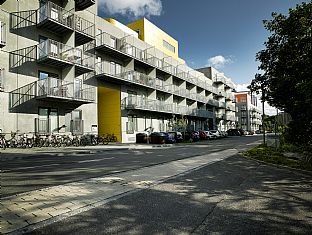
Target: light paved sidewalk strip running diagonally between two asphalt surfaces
{"x":27,"y":211}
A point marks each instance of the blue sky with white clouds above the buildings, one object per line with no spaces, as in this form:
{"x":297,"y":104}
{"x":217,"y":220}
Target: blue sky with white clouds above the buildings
{"x":225,"y":34}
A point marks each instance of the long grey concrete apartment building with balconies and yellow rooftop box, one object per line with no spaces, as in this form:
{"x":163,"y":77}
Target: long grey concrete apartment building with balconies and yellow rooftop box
{"x":62,"y":65}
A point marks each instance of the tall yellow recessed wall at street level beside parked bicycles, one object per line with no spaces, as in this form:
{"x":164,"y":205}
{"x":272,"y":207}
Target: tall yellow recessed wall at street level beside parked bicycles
{"x":109,"y":114}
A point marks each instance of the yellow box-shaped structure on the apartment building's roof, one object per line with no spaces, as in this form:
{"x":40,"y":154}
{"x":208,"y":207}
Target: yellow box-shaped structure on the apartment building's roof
{"x":154,"y":36}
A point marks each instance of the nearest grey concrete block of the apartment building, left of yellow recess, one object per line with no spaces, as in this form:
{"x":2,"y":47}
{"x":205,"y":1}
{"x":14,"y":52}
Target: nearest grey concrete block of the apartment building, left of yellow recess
{"x":43,"y":64}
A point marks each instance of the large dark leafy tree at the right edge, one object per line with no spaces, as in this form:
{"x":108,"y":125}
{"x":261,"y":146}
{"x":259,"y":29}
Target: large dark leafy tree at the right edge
{"x":286,"y":63}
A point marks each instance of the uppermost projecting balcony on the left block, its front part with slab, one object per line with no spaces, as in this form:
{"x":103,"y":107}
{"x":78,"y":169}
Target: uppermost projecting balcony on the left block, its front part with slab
{"x":55,"y":19}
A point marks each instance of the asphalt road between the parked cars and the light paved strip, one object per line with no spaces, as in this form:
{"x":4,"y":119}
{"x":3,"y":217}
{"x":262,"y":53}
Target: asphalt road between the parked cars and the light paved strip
{"x":28,"y":171}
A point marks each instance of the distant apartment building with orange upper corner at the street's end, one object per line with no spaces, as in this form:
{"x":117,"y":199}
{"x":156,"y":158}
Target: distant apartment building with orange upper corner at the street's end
{"x":249,"y":116}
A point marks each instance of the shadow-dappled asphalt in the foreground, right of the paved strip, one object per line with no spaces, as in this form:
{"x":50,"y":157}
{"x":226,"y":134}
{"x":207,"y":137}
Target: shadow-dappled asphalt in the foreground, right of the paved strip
{"x":233,"y":196}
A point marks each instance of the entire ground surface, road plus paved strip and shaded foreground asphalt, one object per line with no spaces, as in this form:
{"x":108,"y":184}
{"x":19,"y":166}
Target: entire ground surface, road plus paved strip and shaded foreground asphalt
{"x":208,"y":191}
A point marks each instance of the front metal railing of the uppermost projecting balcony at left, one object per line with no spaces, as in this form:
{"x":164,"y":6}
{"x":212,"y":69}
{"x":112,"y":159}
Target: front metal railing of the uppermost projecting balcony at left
{"x":51,"y":11}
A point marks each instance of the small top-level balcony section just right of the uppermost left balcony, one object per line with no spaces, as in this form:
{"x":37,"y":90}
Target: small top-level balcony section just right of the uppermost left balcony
{"x":84,"y":31}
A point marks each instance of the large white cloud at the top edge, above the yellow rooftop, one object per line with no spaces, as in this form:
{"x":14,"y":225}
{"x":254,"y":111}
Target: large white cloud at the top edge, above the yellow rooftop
{"x":132,"y":8}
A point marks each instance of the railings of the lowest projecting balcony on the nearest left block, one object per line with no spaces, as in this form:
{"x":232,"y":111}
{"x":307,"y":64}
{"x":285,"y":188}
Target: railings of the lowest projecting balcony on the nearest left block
{"x":53,"y":90}
